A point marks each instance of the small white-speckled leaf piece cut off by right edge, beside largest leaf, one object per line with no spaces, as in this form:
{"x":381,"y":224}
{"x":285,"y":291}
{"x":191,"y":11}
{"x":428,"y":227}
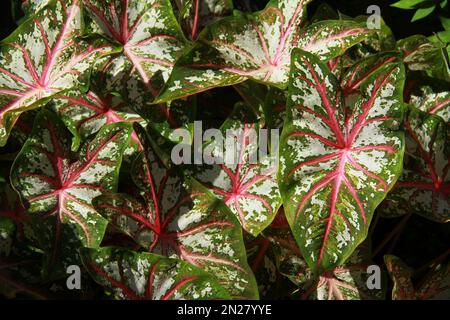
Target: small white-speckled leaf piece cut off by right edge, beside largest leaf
{"x":433,"y":102}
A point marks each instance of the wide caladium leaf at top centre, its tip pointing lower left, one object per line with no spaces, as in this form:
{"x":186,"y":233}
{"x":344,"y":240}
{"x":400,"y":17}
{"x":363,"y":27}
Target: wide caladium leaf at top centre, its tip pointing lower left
{"x":256,"y":46}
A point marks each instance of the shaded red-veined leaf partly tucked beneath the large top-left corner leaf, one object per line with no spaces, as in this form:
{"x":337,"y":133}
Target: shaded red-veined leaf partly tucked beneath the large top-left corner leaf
{"x":85,"y":114}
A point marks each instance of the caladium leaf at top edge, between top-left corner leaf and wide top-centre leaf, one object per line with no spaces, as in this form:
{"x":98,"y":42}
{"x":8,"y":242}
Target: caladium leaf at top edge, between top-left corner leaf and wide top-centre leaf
{"x":150,"y":40}
